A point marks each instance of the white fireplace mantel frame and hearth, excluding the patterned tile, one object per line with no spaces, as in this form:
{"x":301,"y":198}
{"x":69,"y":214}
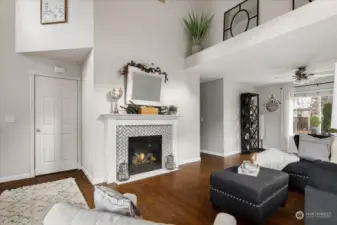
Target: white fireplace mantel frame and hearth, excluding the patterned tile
{"x":111,"y":121}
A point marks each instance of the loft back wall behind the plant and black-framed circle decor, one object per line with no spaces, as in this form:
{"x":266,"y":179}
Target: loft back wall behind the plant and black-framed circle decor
{"x":269,"y":9}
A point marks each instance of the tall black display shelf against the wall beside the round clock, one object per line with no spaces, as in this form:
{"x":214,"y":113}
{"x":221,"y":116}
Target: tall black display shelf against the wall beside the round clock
{"x":250,"y":123}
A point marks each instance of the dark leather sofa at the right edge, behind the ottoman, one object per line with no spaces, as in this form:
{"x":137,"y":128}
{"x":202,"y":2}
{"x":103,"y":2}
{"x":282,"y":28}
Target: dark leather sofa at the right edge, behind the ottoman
{"x":318,"y":180}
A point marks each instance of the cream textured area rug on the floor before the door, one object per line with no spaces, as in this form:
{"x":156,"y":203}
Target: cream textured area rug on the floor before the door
{"x":29,"y":205}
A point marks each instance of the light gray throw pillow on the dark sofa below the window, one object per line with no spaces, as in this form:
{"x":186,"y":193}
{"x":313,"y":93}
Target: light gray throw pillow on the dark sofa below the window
{"x":311,"y":148}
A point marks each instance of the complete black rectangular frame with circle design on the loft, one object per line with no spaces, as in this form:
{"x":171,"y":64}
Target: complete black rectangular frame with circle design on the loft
{"x":241,"y":18}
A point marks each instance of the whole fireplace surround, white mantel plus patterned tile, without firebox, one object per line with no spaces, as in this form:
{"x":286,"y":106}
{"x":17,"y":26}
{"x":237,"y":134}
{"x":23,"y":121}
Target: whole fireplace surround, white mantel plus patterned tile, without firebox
{"x":118,"y":129}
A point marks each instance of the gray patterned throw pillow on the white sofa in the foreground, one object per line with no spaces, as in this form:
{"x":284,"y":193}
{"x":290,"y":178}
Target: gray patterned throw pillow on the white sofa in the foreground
{"x":110,"y":200}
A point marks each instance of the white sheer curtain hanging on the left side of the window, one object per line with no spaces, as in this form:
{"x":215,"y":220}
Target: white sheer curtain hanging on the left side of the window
{"x":287,"y":111}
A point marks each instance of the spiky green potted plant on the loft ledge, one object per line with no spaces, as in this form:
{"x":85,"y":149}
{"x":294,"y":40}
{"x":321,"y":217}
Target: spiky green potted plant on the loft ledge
{"x":197,"y":27}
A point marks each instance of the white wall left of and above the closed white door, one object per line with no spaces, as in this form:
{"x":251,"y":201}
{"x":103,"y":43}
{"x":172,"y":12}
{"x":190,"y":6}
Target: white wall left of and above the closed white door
{"x":15,"y":96}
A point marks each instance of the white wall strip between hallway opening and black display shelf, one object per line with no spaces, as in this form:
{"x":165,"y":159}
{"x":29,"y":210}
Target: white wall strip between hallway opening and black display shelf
{"x":232,"y":134}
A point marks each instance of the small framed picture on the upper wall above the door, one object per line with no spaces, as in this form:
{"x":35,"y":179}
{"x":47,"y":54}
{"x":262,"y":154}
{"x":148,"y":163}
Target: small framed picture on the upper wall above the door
{"x":53,"y":11}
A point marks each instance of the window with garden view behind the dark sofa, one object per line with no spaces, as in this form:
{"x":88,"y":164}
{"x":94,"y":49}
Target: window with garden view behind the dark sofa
{"x":312,"y":114}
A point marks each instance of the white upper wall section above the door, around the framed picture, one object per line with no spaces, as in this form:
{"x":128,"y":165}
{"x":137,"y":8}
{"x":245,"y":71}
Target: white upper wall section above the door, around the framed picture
{"x":31,"y":36}
